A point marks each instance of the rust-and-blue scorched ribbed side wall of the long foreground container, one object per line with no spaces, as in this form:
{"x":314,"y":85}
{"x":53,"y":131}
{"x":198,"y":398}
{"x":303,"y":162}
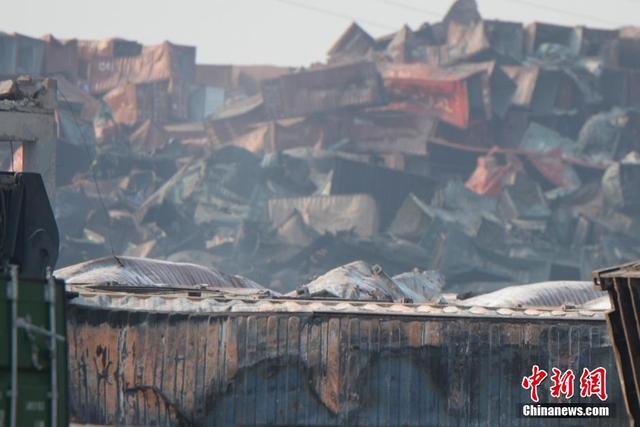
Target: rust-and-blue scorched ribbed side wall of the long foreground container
{"x":138,"y":368}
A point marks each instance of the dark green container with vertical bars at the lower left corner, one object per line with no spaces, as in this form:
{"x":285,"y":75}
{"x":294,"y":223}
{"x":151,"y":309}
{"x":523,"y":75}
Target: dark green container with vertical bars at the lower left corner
{"x":34,"y":375}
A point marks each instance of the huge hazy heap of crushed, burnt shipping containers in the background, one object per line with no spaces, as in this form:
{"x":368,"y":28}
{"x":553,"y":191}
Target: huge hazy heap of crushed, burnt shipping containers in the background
{"x":493,"y":152}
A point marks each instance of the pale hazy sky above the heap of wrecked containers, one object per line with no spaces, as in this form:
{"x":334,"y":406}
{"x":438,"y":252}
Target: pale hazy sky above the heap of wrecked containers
{"x":286,"y":32}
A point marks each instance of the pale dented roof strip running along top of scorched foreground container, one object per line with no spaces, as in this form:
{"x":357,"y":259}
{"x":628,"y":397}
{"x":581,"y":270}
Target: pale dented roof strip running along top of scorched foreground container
{"x":257,"y":301}
